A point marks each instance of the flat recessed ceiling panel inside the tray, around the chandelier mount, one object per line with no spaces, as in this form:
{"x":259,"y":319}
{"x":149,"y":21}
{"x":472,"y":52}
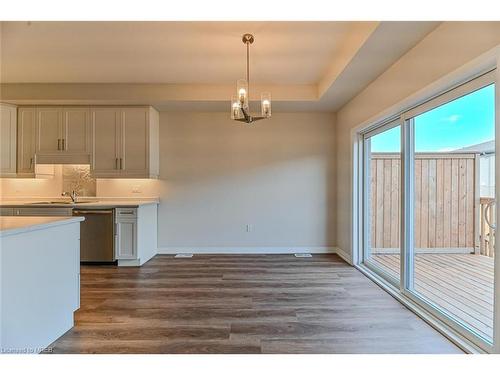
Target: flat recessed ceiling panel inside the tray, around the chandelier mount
{"x":168,"y":52}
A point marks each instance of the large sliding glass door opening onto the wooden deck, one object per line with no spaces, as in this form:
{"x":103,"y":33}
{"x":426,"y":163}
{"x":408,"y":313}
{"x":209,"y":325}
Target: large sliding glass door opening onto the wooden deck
{"x":429,"y":206}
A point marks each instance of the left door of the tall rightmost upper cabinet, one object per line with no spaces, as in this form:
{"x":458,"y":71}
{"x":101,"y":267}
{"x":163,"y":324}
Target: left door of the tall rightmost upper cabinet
{"x":105,"y":124}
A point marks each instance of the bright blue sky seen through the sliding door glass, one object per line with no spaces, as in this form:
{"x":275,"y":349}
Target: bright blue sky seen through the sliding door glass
{"x":463,"y":122}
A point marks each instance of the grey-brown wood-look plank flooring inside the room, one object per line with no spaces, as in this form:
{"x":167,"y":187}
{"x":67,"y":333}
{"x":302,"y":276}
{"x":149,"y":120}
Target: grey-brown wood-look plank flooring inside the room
{"x":242,"y":304}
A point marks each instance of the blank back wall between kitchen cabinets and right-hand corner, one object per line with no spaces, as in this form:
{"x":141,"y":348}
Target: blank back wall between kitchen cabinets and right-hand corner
{"x":217,"y":176}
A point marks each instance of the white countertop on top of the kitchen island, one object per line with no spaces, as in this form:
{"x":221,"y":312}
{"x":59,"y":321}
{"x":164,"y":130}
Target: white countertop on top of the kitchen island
{"x":10,"y":225}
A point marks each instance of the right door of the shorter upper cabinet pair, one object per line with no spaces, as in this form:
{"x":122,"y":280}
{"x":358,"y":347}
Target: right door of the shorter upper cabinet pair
{"x":76,"y":130}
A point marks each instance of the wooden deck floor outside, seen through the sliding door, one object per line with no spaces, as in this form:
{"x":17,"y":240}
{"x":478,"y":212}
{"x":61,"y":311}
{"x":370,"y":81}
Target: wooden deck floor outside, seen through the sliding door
{"x":461,"y":284}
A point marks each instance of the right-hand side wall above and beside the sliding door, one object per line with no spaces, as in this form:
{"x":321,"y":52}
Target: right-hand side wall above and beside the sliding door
{"x":448,"y":47}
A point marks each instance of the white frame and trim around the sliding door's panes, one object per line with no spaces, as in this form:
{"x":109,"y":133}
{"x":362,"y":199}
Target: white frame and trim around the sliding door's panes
{"x":457,"y":84}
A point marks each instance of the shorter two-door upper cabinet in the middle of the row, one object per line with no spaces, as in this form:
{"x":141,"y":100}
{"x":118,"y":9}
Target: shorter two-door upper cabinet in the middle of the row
{"x":63,"y":135}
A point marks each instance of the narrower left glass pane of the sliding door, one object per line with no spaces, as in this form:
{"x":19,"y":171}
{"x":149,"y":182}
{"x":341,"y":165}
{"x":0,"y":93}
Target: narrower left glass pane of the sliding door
{"x":383,"y":202}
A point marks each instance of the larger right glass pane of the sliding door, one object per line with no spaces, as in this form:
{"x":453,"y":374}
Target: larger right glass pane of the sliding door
{"x":454,"y":197}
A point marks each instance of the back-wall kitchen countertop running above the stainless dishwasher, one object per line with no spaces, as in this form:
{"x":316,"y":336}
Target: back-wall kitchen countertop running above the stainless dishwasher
{"x":84,"y":203}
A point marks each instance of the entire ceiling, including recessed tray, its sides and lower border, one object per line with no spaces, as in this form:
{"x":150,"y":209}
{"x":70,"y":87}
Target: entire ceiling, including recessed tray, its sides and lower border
{"x":308,"y":65}
